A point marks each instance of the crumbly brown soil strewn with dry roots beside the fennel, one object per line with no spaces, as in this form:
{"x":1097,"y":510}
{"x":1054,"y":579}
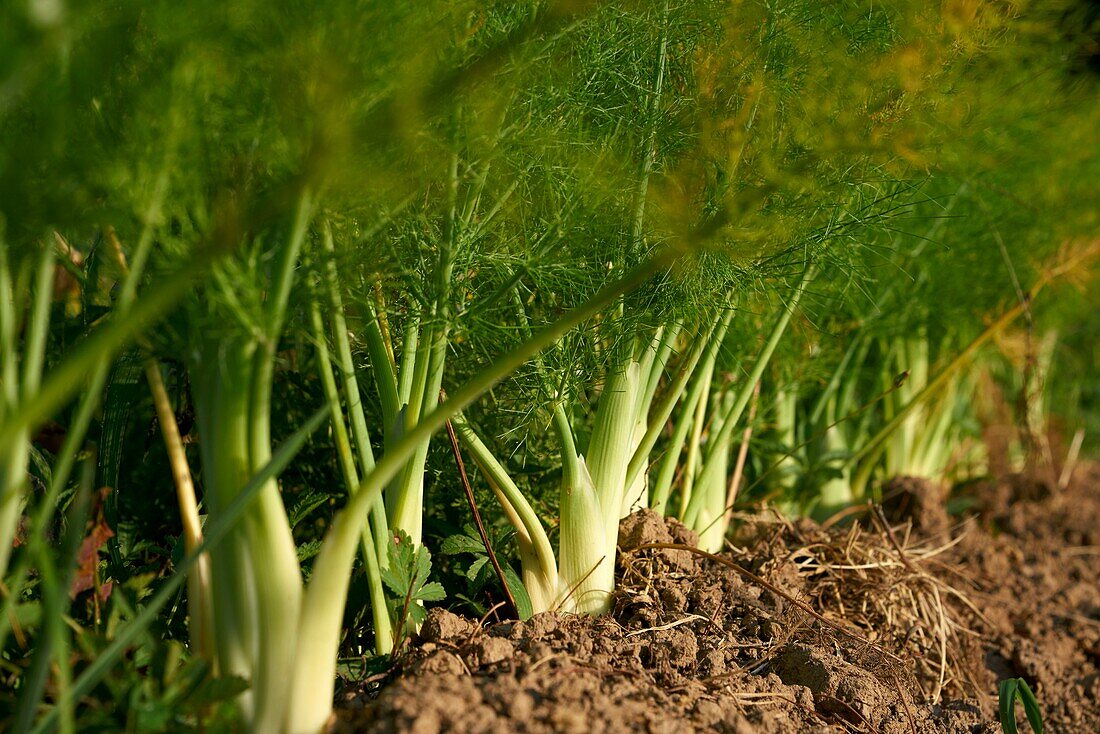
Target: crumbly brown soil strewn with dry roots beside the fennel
{"x":901,"y":623}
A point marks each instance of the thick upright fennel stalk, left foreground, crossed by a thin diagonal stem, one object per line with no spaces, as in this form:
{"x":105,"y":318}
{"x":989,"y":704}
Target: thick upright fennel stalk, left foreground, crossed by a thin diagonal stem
{"x":257,"y":583}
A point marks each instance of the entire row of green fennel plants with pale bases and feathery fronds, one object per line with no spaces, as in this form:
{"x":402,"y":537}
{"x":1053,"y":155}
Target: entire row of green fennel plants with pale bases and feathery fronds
{"x":644,"y":233}
